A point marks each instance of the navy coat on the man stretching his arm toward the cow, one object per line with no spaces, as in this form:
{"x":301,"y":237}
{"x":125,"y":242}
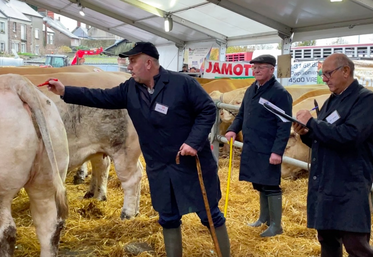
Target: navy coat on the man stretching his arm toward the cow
{"x":190,"y":116}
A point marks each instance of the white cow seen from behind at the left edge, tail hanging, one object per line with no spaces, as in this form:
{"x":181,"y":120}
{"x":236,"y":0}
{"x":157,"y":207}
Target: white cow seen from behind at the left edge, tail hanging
{"x":34,"y":155}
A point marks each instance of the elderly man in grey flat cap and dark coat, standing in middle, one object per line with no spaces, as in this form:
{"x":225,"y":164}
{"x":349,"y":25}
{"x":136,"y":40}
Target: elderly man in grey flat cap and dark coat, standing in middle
{"x":265,"y":137}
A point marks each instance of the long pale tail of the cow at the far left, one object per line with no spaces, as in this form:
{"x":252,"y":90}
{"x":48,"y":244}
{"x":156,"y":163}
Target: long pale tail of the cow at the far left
{"x":34,"y":102}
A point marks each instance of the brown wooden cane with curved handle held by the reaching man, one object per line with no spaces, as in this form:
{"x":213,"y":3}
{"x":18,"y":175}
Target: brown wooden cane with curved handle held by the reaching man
{"x":206,"y":202}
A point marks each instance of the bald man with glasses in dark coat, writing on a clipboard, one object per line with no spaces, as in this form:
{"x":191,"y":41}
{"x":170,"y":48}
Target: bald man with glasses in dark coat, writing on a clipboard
{"x":342,"y":162}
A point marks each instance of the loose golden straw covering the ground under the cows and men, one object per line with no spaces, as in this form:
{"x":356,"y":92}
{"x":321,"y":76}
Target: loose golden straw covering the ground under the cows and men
{"x":94,"y":228}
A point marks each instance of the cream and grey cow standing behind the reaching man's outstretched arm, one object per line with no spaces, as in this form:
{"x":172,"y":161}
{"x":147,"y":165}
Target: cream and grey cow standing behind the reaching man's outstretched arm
{"x":97,"y":134}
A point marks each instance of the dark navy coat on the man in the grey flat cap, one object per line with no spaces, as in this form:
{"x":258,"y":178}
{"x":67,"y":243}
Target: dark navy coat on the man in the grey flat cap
{"x":263,"y":132}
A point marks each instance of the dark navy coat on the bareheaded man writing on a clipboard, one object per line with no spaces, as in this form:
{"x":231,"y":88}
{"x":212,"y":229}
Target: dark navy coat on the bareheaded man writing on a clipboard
{"x":342,"y":162}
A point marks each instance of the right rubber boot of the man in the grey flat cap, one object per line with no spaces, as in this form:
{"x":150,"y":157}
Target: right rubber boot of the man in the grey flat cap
{"x":275,"y":214}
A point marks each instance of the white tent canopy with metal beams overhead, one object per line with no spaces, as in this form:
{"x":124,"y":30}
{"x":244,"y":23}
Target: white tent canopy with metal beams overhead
{"x":231,"y":22}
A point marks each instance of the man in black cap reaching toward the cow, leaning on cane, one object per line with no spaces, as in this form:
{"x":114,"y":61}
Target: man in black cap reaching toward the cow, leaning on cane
{"x":171,"y":112}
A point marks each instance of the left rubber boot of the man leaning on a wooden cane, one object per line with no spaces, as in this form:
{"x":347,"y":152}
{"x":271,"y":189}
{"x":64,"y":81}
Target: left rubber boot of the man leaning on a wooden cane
{"x":173,"y":242}
